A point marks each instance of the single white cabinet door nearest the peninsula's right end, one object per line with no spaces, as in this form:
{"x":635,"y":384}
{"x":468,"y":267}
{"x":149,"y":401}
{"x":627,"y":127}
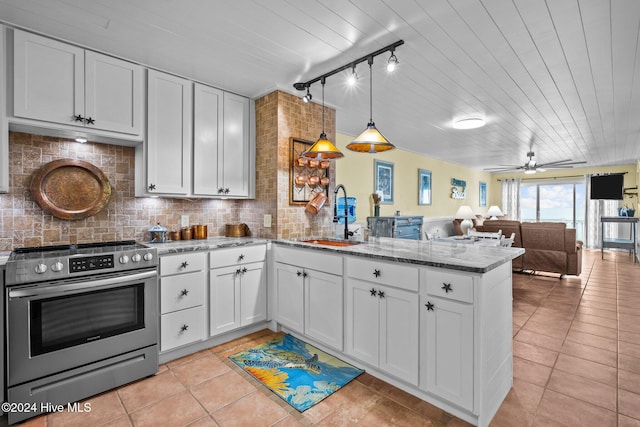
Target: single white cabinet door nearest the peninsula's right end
{"x":448,"y":348}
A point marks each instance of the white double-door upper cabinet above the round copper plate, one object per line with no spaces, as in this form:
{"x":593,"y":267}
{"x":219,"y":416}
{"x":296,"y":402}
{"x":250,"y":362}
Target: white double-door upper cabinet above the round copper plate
{"x":63,"y":84}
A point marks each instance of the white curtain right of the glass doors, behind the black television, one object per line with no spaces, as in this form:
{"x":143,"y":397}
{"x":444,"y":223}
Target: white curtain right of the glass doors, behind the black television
{"x":594,"y":210}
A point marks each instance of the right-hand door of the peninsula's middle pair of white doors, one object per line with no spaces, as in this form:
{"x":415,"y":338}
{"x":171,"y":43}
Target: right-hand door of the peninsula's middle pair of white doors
{"x":399,"y":319}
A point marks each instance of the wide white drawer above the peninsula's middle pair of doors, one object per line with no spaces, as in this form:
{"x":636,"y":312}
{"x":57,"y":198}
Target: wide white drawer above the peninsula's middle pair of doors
{"x":397,"y":275}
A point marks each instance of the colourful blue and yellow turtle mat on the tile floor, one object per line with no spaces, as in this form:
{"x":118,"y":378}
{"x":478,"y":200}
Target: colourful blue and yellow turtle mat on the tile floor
{"x":301,"y":374}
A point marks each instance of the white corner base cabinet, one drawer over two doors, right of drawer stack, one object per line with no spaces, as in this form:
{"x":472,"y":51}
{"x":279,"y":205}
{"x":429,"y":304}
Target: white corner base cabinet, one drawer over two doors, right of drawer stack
{"x":237,"y":289}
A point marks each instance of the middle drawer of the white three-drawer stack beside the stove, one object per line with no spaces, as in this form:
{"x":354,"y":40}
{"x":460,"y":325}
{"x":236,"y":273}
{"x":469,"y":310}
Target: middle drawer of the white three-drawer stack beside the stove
{"x":182,"y":291}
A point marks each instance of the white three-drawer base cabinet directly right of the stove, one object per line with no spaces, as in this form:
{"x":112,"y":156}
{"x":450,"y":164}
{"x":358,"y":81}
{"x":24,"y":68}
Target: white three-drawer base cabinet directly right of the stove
{"x":182,"y":287}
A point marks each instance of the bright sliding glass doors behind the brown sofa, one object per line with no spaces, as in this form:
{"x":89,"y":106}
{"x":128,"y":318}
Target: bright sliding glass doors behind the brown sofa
{"x":554,"y":201}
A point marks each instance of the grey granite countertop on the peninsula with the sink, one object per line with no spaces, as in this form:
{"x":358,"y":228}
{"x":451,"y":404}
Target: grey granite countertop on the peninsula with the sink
{"x":441,"y":254}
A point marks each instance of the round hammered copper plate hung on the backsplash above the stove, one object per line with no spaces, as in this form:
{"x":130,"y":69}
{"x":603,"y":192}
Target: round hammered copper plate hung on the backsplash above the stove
{"x":70,"y":189}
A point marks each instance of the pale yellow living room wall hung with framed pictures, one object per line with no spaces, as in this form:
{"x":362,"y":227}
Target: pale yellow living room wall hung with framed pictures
{"x":355,"y":171}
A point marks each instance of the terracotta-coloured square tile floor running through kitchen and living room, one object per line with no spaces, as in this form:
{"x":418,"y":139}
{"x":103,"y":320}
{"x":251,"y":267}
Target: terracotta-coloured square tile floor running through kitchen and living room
{"x":576,"y":363}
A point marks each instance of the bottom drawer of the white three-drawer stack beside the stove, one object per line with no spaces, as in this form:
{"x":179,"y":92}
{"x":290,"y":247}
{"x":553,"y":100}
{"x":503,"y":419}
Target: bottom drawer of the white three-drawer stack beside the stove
{"x":182,"y":327}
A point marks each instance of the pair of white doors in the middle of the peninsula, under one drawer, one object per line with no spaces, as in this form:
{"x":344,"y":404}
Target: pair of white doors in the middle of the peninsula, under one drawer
{"x":382,"y":327}
